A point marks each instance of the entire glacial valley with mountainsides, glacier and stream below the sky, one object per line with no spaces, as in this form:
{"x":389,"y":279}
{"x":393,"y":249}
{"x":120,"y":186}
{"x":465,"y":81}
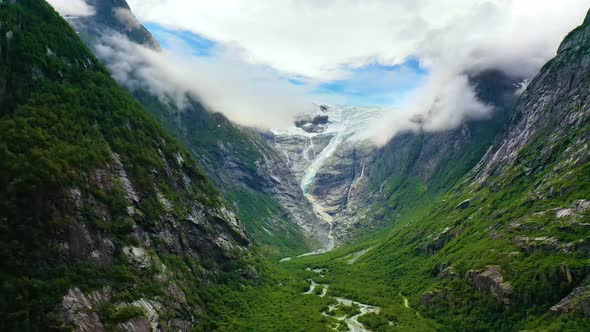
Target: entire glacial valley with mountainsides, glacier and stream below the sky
{"x":123,"y":209}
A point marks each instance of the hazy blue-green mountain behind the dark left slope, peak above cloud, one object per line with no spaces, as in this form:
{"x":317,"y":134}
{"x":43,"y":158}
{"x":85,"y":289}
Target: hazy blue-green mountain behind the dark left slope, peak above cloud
{"x":250,"y":173}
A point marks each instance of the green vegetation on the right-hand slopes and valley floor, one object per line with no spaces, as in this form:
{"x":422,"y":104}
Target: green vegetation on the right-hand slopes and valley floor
{"x":438,"y":235}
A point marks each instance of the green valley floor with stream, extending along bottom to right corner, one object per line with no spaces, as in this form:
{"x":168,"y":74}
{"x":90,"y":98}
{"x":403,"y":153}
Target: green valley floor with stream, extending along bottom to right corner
{"x":346,"y":290}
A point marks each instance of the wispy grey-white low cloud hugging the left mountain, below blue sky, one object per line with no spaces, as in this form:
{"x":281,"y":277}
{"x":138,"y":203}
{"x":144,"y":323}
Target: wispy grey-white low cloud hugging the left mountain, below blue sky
{"x":250,"y":95}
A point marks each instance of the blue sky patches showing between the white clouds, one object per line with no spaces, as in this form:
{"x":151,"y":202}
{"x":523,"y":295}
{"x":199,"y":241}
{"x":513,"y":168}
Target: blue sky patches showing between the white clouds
{"x":372,"y":84}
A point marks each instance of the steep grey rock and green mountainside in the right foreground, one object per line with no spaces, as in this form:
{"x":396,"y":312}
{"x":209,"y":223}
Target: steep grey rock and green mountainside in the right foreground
{"x":515,"y":226}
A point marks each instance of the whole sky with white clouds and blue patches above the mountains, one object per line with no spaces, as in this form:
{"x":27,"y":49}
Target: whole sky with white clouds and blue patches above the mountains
{"x":413,"y":56}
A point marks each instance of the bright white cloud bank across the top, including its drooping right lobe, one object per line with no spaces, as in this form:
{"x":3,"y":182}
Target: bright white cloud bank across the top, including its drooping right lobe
{"x":322,"y":40}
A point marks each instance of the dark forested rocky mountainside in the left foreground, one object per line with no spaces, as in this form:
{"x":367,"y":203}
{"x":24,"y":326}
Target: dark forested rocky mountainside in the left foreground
{"x":106,"y":221}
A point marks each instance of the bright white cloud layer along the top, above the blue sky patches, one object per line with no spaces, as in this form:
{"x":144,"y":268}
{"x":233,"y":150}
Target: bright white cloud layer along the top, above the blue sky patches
{"x":315,"y":38}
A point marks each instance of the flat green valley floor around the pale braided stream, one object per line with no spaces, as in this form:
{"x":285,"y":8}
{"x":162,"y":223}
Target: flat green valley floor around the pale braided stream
{"x":321,"y":293}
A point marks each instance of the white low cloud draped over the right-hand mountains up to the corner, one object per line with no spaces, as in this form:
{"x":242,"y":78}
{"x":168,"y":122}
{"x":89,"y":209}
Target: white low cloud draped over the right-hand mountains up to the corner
{"x":510,"y":36}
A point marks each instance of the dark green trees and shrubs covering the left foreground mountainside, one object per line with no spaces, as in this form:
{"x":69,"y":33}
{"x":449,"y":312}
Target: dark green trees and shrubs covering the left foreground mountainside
{"x":64,"y":123}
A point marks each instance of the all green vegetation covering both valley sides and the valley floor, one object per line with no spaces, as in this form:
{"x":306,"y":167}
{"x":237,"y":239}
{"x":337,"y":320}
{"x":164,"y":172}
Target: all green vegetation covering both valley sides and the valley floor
{"x":62,"y":118}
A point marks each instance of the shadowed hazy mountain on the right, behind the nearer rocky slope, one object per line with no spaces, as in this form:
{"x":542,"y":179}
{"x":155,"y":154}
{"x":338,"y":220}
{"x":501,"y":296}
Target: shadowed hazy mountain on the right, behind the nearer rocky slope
{"x":415,"y":167}
